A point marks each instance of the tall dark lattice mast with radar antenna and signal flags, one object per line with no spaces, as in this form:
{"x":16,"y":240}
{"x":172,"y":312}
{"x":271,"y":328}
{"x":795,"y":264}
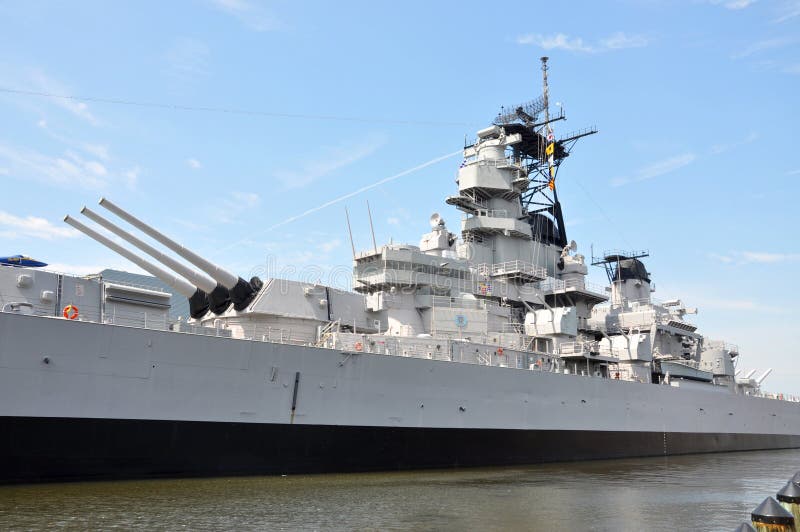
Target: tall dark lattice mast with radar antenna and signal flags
{"x":541,"y":154}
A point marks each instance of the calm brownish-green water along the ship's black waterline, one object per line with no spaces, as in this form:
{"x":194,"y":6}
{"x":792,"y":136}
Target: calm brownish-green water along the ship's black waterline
{"x":706,"y":492}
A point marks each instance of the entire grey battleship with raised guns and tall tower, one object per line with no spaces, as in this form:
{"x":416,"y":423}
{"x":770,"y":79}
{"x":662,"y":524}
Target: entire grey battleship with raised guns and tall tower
{"x":484,"y":347}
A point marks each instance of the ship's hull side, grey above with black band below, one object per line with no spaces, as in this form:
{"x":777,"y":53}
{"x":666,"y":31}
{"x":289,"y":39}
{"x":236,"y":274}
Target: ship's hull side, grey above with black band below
{"x":87,"y":400}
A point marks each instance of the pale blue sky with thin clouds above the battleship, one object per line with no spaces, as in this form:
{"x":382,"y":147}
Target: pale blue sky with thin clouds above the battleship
{"x":696,"y":103}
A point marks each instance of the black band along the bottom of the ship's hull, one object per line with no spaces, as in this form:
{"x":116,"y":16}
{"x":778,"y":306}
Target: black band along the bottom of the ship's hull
{"x":49,"y":449}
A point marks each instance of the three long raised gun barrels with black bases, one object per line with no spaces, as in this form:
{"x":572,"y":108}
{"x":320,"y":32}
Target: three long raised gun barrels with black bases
{"x":216,"y":291}
